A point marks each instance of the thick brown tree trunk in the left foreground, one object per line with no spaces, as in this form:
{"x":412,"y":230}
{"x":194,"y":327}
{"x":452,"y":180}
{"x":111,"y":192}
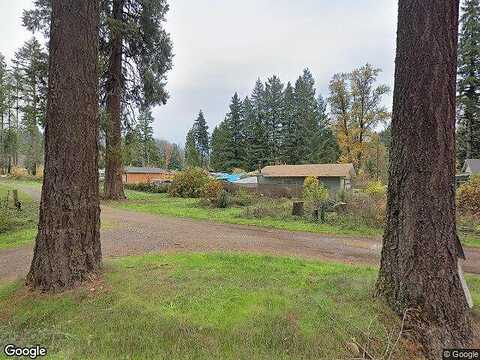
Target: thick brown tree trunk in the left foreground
{"x":67,"y":249}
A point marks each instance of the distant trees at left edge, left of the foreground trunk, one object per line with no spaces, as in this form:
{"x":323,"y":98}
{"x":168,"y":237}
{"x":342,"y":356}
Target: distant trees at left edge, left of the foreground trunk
{"x":23,"y":87}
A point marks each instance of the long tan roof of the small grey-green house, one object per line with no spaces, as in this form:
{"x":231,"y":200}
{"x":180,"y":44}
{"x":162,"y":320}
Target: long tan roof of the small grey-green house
{"x":317,"y":170}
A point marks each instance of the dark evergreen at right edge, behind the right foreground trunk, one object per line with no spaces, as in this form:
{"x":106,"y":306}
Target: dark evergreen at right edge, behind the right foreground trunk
{"x":468,"y":143}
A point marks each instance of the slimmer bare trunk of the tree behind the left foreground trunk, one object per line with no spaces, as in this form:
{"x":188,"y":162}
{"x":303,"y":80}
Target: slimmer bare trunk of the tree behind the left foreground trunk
{"x":113,"y":173}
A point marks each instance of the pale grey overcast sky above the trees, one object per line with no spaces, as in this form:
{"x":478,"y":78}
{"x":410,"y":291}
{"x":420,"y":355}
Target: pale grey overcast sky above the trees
{"x":223,"y":46}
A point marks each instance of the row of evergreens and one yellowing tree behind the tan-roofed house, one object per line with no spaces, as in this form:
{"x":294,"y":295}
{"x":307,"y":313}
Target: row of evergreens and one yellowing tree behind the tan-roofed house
{"x":291,"y":124}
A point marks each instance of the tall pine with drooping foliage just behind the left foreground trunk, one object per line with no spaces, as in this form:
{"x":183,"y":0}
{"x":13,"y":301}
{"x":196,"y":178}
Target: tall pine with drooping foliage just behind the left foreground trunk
{"x":136,"y":52}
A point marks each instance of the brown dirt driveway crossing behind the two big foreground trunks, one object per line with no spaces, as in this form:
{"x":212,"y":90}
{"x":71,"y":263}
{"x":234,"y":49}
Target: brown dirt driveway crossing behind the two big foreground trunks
{"x":132,"y":233}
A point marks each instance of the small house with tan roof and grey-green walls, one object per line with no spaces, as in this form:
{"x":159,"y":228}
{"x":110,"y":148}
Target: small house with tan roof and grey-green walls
{"x":335,"y":177}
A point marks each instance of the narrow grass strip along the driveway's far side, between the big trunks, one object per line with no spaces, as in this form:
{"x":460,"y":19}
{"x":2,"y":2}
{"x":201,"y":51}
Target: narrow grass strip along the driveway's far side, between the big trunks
{"x":162,"y":204}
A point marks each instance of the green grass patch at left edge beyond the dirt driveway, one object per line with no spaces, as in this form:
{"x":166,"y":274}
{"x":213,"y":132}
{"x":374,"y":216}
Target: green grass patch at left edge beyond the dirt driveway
{"x":18,"y":227}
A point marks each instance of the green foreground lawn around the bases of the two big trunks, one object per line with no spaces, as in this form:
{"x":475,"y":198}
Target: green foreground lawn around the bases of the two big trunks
{"x":214,"y":306}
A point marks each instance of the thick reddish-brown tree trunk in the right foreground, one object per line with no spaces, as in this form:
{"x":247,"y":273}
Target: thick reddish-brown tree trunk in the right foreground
{"x":419,"y":256}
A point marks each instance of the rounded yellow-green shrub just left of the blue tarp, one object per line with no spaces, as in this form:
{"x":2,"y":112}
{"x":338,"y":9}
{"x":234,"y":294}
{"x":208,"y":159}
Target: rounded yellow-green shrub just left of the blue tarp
{"x":189,"y":183}
